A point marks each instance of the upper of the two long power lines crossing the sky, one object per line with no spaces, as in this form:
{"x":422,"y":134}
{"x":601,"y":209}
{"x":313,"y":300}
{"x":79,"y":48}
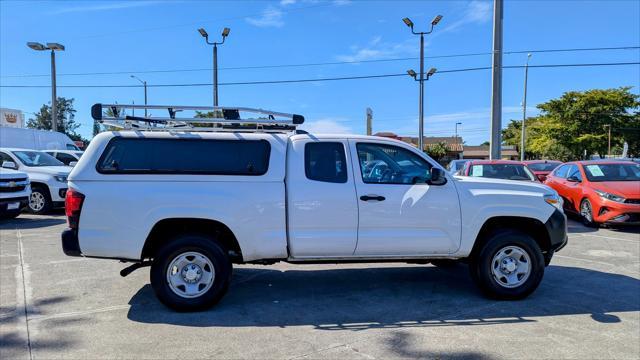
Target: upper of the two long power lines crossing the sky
{"x":254,"y":67}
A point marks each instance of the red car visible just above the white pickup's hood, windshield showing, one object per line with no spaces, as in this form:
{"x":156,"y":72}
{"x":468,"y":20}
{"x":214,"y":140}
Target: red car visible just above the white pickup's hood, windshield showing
{"x":498,"y":169}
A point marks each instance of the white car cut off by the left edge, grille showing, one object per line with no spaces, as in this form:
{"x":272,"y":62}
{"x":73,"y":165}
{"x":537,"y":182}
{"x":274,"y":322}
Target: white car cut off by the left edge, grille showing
{"x":14,"y":191}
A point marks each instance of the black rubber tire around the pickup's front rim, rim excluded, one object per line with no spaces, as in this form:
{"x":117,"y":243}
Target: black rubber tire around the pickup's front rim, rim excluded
{"x":481,"y":265}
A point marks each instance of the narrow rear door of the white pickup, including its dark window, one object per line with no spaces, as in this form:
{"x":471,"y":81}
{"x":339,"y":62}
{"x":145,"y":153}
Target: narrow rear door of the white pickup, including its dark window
{"x":321,"y":198}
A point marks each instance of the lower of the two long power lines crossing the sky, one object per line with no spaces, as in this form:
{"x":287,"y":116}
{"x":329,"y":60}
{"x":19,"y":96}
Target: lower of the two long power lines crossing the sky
{"x":377,"y":76}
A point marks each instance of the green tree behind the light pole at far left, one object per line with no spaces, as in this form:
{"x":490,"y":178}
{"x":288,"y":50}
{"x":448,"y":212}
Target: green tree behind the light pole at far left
{"x":65,"y":118}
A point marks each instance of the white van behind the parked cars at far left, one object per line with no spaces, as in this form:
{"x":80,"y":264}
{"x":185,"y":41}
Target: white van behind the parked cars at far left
{"x":11,"y":137}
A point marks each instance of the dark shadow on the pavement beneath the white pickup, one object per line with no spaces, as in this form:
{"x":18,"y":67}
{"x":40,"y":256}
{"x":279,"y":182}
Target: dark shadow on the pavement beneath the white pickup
{"x":393,"y":297}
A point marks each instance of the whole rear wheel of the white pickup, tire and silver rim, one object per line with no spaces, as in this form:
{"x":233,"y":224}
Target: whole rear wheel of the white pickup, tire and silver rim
{"x":190,"y":273}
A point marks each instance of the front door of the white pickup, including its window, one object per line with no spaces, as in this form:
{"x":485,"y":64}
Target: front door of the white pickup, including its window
{"x":400,"y":214}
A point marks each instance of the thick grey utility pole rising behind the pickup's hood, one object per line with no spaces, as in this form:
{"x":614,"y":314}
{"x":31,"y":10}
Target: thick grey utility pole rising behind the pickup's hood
{"x":496,"y":83}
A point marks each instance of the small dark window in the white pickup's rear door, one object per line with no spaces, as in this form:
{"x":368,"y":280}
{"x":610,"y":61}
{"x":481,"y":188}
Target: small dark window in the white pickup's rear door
{"x":325,"y":161}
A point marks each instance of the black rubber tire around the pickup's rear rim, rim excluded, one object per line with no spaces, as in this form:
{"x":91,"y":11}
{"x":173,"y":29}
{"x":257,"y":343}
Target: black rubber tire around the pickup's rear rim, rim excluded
{"x":182,"y":244}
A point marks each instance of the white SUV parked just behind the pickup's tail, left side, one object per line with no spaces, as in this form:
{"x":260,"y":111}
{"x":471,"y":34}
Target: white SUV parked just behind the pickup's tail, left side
{"x":48,"y":177}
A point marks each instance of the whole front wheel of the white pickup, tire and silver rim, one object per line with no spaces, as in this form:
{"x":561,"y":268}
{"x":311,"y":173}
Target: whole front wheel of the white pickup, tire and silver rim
{"x":510,"y":266}
